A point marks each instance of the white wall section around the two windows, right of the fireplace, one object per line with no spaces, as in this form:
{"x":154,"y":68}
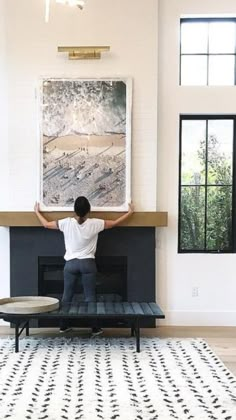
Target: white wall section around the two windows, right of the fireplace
{"x":214,"y":275}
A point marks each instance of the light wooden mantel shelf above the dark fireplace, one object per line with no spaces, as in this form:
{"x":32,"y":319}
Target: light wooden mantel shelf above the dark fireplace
{"x":142,"y":219}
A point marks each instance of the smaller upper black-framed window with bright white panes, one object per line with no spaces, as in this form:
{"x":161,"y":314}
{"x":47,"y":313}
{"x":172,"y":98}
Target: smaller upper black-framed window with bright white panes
{"x":208,"y":51}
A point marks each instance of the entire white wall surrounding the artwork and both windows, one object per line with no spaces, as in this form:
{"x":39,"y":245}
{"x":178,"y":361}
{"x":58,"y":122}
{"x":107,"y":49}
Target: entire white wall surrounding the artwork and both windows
{"x":132,"y":30}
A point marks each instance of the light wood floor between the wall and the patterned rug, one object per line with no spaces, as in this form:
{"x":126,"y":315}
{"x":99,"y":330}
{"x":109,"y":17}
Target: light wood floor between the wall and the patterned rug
{"x":222,"y":340}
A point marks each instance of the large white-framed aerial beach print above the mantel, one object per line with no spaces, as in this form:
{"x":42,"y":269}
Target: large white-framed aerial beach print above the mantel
{"x":85,"y":143}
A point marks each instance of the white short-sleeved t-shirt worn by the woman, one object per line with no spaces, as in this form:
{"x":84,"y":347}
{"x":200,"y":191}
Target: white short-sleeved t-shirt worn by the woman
{"x":80,"y":240}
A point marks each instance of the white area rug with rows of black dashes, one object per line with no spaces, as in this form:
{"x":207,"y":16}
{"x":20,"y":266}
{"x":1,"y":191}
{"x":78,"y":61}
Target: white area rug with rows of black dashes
{"x":80,"y":378}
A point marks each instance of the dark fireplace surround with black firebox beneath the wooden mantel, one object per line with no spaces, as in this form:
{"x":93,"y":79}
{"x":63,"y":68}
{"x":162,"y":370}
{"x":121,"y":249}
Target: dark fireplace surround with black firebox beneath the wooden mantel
{"x":36,"y":264}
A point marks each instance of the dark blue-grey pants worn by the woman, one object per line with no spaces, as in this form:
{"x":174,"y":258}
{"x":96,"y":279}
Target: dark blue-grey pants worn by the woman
{"x":87,"y":268}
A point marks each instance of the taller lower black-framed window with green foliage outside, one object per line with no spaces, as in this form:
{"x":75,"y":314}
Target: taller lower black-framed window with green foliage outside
{"x":206,"y":183}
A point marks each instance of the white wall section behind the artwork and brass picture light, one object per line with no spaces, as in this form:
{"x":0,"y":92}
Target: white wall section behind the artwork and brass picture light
{"x":28,"y":51}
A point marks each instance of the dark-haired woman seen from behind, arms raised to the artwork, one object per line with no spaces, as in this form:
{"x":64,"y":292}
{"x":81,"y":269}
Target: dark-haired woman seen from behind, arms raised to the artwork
{"x":80,"y":236}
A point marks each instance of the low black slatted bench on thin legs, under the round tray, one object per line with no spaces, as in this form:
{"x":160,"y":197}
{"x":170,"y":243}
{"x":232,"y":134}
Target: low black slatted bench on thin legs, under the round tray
{"x":132,"y":312}
